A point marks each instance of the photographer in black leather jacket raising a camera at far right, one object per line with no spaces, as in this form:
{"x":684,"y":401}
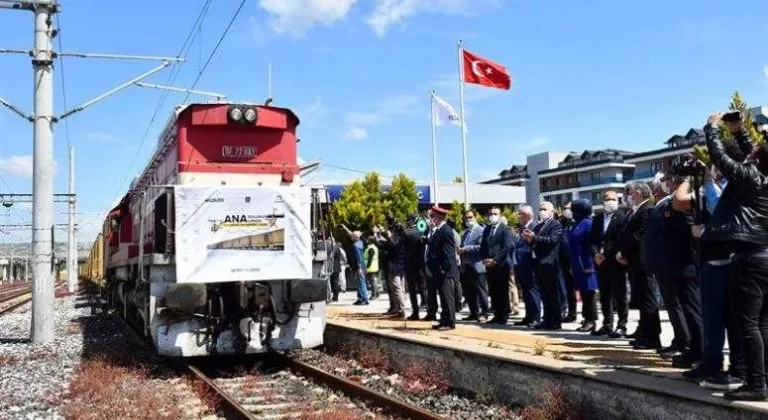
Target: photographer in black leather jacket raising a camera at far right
{"x":740,"y":223}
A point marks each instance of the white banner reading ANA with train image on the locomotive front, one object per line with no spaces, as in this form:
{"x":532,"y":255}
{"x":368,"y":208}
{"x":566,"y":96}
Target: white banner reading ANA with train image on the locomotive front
{"x":242,"y":234}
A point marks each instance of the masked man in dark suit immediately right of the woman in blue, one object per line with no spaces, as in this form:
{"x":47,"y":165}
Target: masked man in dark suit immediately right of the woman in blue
{"x":611,"y":275}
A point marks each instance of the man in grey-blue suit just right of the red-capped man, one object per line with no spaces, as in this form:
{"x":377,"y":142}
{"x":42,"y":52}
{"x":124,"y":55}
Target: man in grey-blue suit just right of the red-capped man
{"x":472,"y":268}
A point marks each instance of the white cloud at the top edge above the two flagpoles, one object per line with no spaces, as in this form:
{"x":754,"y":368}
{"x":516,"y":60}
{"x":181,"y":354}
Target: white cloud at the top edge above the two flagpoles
{"x":391,"y":12}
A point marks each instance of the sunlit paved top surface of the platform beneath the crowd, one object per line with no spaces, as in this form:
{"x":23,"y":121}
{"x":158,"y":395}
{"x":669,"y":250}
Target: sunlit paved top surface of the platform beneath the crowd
{"x":601,"y":358}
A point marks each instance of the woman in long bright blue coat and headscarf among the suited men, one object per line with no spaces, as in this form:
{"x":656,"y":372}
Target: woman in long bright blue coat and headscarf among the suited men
{"x":582,"y":265}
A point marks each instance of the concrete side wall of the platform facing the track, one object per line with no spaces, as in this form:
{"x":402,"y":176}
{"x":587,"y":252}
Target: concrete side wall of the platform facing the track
{"x":524,"y":379}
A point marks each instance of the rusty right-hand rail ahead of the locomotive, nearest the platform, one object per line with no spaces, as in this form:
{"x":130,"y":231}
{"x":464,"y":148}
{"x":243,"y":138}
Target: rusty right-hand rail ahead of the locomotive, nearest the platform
{"x":352,"y":388}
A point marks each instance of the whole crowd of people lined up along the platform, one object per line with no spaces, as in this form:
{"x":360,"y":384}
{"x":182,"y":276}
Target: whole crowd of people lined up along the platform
{"x":693,"y":242}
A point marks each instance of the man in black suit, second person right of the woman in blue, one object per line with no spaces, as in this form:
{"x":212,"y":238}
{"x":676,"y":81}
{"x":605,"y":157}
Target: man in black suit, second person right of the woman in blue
{"x":631,"y":254}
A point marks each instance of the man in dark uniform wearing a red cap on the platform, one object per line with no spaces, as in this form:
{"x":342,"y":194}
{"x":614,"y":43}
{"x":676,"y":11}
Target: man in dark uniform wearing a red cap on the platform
{"x":441,"y":262}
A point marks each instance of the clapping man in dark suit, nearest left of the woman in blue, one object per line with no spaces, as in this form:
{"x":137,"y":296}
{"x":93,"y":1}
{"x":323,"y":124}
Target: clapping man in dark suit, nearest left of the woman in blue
{"x":545,"y":239}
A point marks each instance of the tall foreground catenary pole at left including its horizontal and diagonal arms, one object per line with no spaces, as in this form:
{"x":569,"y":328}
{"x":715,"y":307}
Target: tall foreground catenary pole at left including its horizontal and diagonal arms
{"x":42,"y":179}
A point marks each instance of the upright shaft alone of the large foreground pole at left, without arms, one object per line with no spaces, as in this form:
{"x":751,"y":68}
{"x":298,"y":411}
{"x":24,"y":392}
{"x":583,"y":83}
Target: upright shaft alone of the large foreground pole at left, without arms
{"x":42,"y":177}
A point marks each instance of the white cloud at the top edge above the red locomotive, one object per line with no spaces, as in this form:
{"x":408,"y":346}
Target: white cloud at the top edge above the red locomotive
{"x":296,"y":17}
